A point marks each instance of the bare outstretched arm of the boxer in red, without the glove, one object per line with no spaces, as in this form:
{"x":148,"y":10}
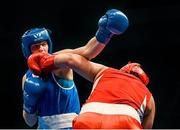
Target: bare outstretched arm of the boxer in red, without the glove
{"x":79,"y":64}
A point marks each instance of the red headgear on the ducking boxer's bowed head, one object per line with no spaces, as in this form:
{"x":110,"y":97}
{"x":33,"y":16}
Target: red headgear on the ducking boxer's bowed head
{"x":134,"y":68}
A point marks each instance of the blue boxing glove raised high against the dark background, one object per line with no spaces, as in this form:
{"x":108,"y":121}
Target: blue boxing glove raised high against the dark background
{"x":113,"y":22}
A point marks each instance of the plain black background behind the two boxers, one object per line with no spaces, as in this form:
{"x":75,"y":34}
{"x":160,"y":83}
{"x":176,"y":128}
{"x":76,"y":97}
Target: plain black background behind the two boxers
{"x":152,"y":39}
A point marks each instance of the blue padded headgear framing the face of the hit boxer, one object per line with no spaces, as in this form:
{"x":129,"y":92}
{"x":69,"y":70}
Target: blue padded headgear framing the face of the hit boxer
{"x":34,"y":36}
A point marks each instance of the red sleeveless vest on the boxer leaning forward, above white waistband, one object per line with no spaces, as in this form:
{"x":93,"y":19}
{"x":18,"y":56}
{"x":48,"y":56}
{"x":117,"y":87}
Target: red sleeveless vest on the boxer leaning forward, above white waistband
{"x":115,"y":86}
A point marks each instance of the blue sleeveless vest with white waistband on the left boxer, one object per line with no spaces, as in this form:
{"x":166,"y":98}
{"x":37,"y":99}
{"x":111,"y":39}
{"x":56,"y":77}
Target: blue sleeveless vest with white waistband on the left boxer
{"x":60,"y":100}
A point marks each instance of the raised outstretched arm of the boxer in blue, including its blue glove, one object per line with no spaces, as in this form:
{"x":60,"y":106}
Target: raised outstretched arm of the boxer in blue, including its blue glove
{"x":114,"y":22}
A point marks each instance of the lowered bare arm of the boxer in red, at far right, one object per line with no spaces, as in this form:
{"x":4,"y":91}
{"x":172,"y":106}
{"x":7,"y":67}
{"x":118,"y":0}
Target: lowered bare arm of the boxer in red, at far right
{"x":149,"y":115}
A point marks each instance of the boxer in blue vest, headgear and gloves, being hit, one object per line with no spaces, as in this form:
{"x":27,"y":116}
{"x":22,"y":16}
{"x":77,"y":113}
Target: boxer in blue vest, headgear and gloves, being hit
{"x":52,"y":98}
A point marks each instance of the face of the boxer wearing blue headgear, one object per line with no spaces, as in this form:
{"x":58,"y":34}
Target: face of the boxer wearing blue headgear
{"x":40,"y":47}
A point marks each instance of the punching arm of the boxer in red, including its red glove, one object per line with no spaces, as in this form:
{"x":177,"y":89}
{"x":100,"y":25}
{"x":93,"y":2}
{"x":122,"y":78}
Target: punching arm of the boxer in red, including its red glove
{"x":79,"y":64}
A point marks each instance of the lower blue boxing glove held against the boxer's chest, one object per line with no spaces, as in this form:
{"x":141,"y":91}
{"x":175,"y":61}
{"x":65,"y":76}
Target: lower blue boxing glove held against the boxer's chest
{"x":33,"y":89}
